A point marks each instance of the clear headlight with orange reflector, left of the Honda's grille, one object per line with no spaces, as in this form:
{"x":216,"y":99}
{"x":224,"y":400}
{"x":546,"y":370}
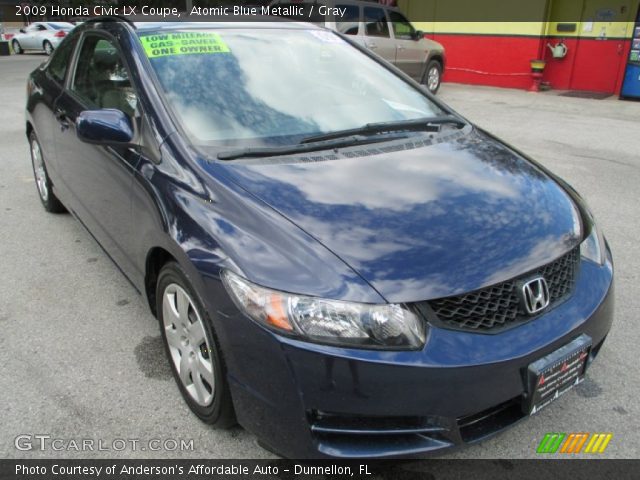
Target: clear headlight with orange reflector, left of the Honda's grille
{"x":327,"y":321}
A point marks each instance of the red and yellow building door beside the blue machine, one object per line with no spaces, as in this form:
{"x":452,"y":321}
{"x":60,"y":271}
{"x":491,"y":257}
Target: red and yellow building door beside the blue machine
{"x":600,"y":49}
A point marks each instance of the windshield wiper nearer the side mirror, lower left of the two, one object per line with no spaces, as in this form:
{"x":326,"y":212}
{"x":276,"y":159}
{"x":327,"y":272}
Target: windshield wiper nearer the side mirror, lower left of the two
{"x":342,"y":141}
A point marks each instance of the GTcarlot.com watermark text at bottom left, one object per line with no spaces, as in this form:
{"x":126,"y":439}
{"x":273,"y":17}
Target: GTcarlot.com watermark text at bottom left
{"x":44,"y":442}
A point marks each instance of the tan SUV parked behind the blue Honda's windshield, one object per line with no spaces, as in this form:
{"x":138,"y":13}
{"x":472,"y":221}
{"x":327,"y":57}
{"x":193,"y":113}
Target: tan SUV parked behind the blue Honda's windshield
{"x":387,"y":32}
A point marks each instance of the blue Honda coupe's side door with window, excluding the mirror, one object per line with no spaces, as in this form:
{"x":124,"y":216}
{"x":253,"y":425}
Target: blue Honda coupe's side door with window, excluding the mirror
{"x":98,"y":177}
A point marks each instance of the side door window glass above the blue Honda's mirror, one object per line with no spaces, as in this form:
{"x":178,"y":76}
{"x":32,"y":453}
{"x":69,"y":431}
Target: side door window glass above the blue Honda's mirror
{"x":101,"y":78}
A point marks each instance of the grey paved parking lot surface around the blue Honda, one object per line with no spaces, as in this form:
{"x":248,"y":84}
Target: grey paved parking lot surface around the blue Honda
{"x":81,"y":355}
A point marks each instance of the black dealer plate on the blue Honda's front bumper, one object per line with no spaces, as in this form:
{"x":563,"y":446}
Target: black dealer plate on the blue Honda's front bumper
{"x":555,"y":374}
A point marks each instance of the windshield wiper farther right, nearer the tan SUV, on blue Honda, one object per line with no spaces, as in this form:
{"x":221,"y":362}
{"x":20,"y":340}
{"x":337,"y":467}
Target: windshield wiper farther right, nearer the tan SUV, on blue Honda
{"x":417,"y":124}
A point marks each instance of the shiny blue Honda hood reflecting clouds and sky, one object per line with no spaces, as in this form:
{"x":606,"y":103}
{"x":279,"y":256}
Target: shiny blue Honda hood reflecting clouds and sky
{"x":423,"y":222}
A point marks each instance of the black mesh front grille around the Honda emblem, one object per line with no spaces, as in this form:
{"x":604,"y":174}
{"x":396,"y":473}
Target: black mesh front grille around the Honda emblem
{"x":499,"y":305}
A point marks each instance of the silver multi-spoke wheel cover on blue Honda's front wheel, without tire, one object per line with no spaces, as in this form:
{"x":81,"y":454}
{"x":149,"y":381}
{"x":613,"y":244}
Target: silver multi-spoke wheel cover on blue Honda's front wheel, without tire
{"x":189,"y":347}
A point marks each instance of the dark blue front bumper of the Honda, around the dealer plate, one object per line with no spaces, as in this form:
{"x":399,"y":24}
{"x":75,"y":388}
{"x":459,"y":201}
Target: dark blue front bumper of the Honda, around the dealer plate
{"x":314,"y":401}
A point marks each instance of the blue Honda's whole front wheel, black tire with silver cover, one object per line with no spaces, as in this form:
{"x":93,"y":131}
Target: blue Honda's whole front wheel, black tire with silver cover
{"x":192,"y":348}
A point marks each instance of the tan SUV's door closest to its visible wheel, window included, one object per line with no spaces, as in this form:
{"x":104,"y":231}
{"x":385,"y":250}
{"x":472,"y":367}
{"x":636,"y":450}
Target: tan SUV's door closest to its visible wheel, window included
{"x":410,"y":51}
